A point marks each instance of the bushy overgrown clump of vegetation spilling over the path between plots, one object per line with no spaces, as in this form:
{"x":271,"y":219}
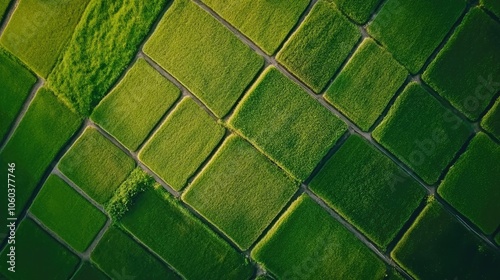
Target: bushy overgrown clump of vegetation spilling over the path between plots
{"x":137,"y":182}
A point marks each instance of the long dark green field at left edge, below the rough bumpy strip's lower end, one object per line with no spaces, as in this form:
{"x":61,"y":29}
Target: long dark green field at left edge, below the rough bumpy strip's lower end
{"x":44,"y":130}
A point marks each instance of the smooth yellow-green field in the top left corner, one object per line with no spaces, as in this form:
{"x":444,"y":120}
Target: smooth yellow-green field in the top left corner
{"x":36,"y":34}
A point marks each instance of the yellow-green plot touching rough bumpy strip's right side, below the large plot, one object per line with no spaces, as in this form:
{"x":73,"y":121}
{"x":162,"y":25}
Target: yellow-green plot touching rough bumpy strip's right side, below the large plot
{"x":136,"y":105}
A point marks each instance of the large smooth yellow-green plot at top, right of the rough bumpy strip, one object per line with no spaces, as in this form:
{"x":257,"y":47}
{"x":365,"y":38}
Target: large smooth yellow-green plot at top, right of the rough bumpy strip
{"x":219,"y":73}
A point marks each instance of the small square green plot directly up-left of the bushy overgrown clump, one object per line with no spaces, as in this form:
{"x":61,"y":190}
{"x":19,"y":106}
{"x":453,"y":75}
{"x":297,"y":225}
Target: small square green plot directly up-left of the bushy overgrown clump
{"x":96,"y":165}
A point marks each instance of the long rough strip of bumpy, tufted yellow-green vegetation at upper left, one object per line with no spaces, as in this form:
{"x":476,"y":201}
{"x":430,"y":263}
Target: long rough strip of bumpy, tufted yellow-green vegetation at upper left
{"x":104,"y":43}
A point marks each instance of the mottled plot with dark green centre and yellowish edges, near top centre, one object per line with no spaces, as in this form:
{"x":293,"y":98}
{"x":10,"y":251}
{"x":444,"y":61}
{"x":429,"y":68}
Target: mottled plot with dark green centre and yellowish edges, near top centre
{"x":320,"y":45}
